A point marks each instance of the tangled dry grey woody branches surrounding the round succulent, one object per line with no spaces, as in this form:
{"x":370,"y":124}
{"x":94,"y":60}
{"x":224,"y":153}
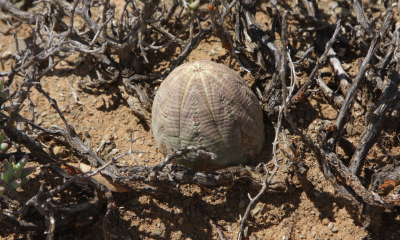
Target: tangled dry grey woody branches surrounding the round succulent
{"x":117,"y":46}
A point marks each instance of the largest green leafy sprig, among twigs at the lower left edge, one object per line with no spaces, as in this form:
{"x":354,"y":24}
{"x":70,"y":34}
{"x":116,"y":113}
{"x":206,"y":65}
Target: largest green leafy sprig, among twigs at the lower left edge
{"x":13,"y":173}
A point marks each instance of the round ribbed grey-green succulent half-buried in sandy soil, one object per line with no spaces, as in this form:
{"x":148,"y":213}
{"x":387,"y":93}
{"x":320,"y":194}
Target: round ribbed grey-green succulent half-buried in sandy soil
{"x":209,"y":106}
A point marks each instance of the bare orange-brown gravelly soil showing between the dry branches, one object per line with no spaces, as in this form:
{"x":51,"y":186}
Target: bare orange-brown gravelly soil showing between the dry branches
{"x":303,"y":213}
